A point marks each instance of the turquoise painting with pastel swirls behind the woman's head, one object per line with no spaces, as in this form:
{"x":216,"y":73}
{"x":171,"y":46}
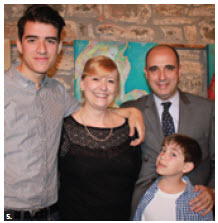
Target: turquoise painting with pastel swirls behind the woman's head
{"x":130,"y":59}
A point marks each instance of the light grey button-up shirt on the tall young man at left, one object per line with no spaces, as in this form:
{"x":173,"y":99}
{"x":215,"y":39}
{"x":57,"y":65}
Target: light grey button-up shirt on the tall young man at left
{"x":33,"y":124}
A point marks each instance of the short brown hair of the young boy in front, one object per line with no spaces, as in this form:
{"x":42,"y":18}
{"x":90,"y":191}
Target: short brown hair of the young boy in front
{"x":190,"y":147}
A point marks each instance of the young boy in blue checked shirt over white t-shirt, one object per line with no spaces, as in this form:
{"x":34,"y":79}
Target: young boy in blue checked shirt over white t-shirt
{"x":168,"y":197}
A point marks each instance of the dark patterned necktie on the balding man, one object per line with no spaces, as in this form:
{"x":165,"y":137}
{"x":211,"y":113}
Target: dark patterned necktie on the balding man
{"x":167,"y":120}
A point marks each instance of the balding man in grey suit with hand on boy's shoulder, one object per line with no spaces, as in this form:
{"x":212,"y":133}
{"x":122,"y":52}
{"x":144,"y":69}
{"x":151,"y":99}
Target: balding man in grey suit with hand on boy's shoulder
{"x":192,"y":115}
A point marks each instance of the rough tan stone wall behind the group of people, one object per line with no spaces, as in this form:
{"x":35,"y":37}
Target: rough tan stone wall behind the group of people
{"x":184,"y":24}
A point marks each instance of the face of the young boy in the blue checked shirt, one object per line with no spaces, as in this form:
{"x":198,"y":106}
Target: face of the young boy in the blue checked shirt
{"x":170,"y":161}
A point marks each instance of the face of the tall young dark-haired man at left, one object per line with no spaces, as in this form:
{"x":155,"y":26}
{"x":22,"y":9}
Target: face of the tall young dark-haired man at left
{"x":39,"y":48}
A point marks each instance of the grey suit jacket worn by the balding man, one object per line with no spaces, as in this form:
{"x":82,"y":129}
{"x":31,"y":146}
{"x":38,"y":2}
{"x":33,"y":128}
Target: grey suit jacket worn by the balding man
{"x":196,"y":119}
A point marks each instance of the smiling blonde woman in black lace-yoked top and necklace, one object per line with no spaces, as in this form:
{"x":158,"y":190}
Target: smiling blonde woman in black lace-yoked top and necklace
{"x":98,"y":167}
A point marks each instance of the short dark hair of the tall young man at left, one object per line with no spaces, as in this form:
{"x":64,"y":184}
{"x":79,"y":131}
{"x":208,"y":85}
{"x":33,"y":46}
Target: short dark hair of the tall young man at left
{"x":41,"y":13}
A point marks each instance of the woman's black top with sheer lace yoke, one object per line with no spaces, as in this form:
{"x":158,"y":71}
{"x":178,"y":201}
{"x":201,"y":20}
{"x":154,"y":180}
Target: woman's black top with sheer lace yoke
{"x":96,"y":178}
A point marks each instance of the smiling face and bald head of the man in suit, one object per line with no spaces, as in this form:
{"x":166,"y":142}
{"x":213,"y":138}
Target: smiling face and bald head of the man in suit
{"x":163,"y":72}
